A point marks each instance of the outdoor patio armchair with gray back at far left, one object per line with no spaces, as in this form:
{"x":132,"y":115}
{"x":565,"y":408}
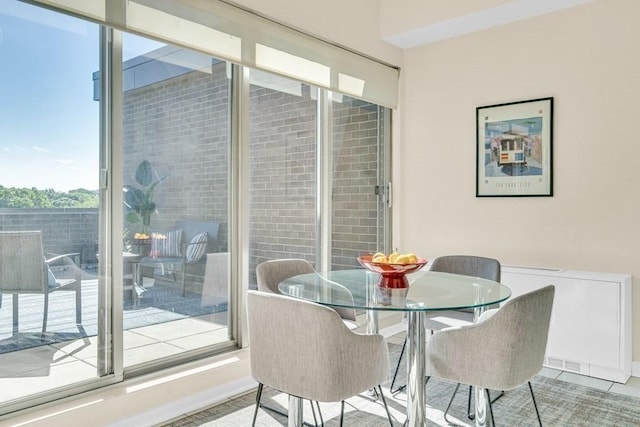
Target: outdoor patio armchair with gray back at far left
{"x":24,"y":270}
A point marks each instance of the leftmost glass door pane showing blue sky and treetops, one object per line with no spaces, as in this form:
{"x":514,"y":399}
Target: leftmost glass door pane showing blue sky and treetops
{"x":49,"y":202}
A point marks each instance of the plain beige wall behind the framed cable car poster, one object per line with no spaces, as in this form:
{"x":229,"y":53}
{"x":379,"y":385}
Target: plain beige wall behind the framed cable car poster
{"x":586,"y":58}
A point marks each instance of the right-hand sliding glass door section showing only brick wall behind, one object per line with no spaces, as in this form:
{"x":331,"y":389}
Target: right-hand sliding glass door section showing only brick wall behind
{"x":318,"y":173}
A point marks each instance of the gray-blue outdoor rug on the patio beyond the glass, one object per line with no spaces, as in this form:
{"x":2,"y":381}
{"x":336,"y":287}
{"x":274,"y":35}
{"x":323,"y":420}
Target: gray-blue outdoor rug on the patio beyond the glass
{"x":158,"y":304}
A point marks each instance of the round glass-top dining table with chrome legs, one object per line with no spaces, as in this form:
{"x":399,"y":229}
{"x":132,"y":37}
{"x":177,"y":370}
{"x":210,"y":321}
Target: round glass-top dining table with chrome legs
{"x":427,"y":292}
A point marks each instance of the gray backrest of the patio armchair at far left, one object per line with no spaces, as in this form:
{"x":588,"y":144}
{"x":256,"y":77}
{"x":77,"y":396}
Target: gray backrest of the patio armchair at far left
{"x":22,"y":266}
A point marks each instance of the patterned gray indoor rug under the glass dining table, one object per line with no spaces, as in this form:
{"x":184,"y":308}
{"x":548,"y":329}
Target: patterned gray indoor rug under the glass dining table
{"x":561,"y":404}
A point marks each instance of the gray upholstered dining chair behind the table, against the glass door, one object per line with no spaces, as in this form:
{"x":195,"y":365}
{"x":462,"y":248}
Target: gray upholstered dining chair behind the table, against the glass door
{"x":269,"y":274}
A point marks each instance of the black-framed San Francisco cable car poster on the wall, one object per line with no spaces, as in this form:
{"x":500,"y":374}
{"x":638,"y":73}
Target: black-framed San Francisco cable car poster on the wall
{"x":514,"y":149}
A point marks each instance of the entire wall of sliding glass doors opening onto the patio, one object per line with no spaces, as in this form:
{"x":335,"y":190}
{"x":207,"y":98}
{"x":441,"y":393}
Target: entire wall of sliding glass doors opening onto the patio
{"x":142,"y":182}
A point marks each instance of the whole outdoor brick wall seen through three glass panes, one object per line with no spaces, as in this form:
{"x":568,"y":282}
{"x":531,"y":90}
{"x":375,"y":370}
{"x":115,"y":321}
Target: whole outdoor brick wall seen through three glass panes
{"x":181,"y":125}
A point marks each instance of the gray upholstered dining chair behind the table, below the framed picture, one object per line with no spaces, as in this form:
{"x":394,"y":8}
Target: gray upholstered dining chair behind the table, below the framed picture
{"x":467,"y":265}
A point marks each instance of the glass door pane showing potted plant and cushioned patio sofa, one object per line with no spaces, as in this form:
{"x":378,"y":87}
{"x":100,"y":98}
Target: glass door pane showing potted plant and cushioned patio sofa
{"x":176,"y":189}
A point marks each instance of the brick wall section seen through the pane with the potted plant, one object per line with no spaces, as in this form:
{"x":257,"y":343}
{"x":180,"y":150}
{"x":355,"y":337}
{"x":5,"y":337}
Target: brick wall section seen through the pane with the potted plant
{"x":181,"y":126}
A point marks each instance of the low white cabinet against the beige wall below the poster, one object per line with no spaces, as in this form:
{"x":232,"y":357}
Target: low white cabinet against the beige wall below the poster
{"x":590,"y":331}
